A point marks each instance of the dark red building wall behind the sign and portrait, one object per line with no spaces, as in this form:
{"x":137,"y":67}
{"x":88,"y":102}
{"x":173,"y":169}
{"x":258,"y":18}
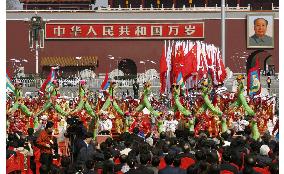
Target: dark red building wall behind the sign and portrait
{"x":17,"y":46}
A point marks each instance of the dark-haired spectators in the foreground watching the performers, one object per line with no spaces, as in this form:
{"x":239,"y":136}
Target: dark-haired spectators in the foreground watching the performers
{"x":231,"y":152}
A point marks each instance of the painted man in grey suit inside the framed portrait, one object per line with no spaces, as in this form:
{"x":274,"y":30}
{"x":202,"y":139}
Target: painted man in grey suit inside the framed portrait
{"x":260,"y":38}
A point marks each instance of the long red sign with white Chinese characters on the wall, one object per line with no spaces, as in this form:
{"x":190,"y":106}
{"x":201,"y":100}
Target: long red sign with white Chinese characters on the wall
{"x":124,"y":30}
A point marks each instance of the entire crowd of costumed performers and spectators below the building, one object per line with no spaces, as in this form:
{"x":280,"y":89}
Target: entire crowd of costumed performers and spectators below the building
{"x":64,"y":137}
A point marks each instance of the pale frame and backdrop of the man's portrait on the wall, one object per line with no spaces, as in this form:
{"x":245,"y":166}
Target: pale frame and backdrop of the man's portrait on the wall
{"x":269,"y":32}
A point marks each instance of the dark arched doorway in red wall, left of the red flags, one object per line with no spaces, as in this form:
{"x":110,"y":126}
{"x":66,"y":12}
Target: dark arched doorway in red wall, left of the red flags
{"x":128,"y":67}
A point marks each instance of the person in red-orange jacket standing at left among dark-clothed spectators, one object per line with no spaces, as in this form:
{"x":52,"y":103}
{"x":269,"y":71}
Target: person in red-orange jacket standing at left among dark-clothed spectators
{"x":45,"y":144}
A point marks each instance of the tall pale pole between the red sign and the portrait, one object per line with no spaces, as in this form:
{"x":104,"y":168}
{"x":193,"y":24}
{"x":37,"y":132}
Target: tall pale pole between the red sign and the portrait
{"x":223,"y":30}
